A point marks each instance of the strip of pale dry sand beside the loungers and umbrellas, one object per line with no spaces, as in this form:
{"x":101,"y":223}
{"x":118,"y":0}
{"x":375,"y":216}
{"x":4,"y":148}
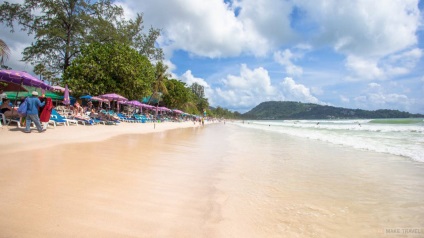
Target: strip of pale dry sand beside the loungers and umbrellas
{"x":15,"y":140}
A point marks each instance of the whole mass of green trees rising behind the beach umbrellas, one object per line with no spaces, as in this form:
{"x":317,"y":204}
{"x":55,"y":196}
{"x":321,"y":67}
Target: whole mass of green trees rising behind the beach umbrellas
{"x":89,"y":46}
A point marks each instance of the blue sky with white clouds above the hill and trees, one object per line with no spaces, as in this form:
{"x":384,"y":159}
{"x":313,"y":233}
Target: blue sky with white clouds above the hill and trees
{"x":344,"y":53}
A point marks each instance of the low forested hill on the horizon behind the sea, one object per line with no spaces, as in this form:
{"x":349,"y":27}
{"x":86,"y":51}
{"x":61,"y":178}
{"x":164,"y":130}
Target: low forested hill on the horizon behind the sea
{"x":274,"y":110}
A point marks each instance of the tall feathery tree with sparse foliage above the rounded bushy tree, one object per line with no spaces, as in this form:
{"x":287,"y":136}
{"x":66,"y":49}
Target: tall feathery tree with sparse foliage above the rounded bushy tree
{"x":64,"y":27}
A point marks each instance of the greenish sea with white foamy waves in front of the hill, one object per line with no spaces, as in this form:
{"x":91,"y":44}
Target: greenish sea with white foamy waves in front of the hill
{"x":403,"y":137}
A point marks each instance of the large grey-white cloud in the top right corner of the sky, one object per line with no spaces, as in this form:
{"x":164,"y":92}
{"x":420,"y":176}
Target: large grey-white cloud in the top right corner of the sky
{"x":365,"y":28}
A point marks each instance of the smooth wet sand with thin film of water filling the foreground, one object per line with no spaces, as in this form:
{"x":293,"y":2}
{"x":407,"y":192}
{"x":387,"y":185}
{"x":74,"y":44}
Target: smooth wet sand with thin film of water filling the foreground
{"x":213,"y":181}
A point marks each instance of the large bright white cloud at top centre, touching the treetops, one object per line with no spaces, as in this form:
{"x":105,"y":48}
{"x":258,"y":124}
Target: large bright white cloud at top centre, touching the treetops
{"x":212,"y":29}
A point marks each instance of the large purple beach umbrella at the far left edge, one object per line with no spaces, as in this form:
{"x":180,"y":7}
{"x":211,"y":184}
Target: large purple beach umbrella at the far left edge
{"x":23,"y":78}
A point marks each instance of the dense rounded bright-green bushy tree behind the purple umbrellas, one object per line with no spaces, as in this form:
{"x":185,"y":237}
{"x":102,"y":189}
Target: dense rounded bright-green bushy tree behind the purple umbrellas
{"x":110,"y":68}
